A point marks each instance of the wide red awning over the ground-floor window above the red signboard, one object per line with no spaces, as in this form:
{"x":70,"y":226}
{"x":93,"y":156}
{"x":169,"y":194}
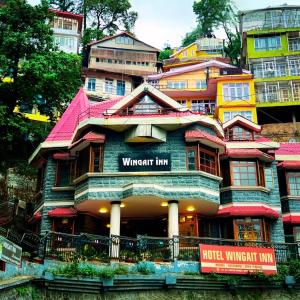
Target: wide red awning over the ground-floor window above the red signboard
{"x":247,"y":210}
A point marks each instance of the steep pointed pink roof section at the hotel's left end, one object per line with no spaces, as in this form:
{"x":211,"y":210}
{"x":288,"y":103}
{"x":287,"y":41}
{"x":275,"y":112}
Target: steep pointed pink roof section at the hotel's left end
{"x":64,"y":128}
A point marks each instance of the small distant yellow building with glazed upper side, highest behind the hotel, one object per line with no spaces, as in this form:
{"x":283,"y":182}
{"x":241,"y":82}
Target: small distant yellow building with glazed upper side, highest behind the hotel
{"x":201,"y":50}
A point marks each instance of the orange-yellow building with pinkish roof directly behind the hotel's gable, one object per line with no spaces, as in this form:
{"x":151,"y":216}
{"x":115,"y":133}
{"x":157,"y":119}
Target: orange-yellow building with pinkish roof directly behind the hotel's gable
{"x":211,"y":87}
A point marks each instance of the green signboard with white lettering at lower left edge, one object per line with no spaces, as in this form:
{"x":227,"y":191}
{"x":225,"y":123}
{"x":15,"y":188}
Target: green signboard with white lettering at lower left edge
{"x":10,"y":252}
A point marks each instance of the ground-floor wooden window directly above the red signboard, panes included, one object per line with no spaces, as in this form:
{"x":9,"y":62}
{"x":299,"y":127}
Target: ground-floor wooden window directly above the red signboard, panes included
{"x":250,"y":229}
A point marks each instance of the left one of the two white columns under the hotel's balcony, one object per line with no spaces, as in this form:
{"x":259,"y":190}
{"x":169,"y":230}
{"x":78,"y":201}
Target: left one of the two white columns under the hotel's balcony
{"x":115,"y":220}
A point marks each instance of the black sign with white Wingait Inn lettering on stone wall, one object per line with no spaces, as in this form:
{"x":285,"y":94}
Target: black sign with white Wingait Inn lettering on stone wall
{"x":131,"y":162}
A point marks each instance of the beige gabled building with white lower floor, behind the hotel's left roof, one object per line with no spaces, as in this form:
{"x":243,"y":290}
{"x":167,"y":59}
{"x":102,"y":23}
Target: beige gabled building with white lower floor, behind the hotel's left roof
{"x":117,"y":65}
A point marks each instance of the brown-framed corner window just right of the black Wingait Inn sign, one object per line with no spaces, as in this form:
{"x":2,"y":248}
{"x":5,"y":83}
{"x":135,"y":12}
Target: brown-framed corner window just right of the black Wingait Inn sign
{"x":201,"y":159}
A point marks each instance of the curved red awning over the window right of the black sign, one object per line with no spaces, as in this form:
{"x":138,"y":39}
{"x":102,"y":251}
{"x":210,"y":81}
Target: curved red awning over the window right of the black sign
{"x":205,"y":138}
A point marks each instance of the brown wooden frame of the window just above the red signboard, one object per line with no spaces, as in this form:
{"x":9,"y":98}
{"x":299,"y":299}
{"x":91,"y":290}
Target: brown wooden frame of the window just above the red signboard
{"x":264,"y":228}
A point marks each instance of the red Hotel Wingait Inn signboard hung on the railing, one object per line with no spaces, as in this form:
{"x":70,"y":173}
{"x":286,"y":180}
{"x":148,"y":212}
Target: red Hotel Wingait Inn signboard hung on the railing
{"x":237,"y":260}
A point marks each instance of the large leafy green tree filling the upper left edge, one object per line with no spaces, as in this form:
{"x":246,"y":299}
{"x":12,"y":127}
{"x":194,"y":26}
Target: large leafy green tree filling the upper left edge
{"x":32,"y":73}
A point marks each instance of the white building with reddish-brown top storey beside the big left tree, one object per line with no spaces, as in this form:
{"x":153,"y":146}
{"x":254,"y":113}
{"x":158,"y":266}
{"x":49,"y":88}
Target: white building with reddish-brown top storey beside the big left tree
{"x":67,"y":29}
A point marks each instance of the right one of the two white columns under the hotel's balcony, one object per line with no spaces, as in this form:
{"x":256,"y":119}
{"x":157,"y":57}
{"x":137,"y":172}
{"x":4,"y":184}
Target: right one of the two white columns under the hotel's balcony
{"x":173,"y":226}
